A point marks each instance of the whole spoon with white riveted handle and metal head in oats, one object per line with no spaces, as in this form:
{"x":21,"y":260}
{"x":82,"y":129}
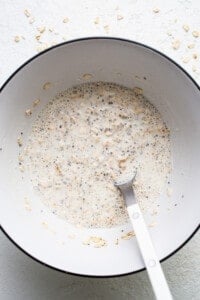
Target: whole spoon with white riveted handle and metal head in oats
{"x":153,"y":266}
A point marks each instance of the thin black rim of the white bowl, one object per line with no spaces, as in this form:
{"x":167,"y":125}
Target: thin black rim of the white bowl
{"x":88,"y":39}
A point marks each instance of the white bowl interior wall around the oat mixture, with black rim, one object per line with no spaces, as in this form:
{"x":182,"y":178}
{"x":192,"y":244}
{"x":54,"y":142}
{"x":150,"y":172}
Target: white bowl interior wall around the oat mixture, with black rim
{"x":49,"y":239}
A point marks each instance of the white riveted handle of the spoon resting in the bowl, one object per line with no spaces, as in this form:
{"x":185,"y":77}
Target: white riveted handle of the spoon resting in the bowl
{"x":151,"y":261}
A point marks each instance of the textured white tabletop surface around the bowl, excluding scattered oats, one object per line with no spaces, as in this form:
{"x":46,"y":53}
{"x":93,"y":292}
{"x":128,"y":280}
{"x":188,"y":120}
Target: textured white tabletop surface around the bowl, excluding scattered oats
{"x":22,"y":278}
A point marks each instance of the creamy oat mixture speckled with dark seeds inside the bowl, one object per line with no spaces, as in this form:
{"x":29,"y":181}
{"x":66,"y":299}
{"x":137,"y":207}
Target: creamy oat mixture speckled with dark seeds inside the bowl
{"x":86,"y":138}
